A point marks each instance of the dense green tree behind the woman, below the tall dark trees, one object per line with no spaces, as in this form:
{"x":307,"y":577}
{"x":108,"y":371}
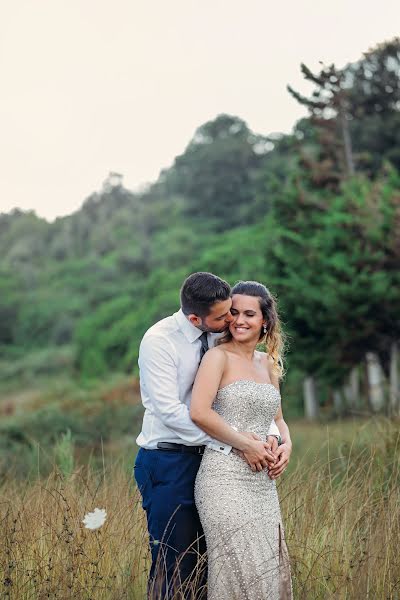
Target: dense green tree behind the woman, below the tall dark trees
{"x":332,"y":259}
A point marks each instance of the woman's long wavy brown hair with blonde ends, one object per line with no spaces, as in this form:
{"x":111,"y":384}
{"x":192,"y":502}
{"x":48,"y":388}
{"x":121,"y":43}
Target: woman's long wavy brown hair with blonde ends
{"x":273,"y":338}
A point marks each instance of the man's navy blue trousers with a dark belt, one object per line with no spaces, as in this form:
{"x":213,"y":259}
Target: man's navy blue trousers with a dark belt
{"x":166,"y":482}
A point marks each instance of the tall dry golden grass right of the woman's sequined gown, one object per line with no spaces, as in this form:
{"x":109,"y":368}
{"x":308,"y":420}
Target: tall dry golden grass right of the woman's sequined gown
{"x":342,"y":519}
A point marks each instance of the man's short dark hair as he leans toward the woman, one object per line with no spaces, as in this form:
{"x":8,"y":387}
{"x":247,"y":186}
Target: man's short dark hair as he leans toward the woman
{"x":200,"y":291}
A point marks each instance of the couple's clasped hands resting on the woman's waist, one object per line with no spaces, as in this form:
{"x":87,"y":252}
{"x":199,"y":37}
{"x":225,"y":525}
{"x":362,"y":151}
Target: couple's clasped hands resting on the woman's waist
{"x":266,"y":455}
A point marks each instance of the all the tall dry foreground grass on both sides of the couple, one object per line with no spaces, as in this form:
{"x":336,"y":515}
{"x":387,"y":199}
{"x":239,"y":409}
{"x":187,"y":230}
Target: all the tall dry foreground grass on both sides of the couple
{"x":341,"y":514}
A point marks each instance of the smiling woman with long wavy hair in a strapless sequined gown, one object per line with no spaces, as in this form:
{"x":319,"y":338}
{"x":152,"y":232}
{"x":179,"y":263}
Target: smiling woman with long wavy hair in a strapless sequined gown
{"x":236,"y":392}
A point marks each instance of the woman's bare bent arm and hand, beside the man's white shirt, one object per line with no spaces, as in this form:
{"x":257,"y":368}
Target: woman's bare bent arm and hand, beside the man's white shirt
{"x":204,"y":391}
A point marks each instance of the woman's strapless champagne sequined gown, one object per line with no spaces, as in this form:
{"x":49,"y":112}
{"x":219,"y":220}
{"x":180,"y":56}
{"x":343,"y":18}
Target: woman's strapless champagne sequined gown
{"x":239,"y":508}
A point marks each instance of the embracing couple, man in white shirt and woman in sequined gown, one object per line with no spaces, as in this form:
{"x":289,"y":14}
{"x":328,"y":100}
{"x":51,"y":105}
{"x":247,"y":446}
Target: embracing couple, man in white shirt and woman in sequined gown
{"x":209,"y":453}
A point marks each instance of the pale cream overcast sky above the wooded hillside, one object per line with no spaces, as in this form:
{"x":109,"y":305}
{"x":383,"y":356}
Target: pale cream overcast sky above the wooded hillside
{"x":93,"y":86}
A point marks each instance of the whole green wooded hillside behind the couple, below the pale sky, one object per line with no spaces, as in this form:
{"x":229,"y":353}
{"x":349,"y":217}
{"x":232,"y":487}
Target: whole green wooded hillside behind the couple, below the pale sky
{"x":315,"y":215}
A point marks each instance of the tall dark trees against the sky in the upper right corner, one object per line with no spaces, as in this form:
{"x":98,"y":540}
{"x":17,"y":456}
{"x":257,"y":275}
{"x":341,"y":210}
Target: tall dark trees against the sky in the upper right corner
{"x":355,"y":112}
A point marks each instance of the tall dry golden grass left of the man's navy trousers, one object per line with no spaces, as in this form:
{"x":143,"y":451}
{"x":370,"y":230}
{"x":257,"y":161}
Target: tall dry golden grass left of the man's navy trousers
{"x":46,"y":552}
